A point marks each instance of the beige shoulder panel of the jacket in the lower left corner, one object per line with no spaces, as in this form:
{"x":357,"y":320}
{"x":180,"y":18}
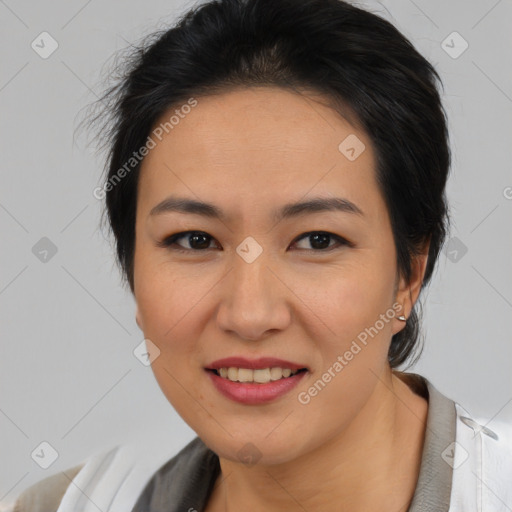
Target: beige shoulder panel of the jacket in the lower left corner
{"x":46,"y":494}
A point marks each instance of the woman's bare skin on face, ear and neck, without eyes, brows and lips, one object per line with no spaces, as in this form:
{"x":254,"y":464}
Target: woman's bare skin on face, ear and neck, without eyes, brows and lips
{"x":358,"y":442}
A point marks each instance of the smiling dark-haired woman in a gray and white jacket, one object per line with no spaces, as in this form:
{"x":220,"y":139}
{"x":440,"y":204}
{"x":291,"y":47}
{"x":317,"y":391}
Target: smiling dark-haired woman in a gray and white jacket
{"x":276,"y":189}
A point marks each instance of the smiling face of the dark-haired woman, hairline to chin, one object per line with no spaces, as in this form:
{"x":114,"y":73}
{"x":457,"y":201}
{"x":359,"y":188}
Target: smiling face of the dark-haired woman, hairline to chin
{"x":257,"y":284}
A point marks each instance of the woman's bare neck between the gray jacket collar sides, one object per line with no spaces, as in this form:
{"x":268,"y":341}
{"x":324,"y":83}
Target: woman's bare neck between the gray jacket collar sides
{"x":372,"y":465}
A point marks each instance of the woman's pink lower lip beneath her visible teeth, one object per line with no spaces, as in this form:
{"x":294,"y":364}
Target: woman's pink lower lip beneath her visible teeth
{"x":253,"y":393}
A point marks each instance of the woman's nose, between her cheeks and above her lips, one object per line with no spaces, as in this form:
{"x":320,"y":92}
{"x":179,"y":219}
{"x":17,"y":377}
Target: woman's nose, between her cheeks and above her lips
{"x":254,"y":301}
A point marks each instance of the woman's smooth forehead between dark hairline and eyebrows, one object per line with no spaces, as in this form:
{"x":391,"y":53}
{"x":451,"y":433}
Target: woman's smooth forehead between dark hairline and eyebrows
{"x":255,"y":146}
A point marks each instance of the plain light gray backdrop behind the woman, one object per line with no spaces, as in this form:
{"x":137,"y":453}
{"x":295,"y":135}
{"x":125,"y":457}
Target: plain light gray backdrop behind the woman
{"x":68,"y":373}
